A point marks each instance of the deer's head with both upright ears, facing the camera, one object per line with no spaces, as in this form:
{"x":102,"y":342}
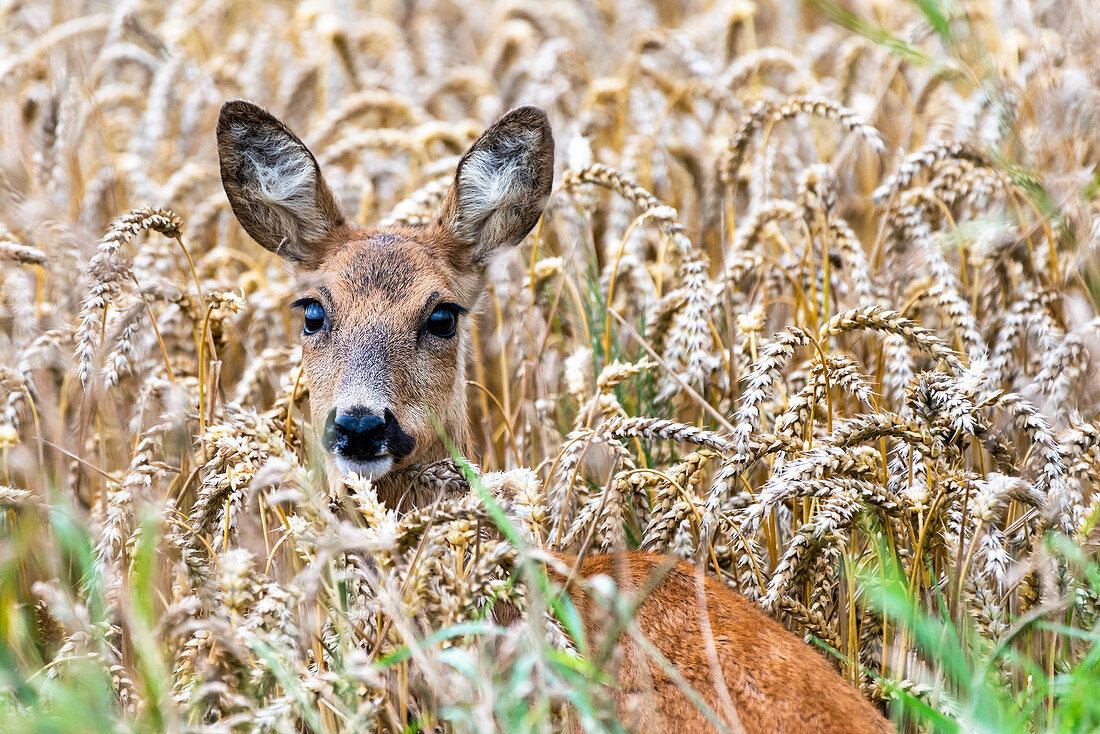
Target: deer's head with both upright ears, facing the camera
{"x":386,"y":311}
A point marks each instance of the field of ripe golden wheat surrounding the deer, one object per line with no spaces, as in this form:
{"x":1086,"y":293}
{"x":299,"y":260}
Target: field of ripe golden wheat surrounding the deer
{"x":815,"y":304}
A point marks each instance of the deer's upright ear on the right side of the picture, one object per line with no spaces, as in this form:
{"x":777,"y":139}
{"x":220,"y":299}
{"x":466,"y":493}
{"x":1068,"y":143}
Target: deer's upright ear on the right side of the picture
{"x":500,"y":190}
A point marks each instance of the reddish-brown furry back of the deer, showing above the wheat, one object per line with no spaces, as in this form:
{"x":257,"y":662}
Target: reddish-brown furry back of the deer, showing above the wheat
{"x":776,"y":682}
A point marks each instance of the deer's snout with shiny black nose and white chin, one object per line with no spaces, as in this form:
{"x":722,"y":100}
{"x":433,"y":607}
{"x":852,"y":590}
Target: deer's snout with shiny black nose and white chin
{"x":365,"y":442}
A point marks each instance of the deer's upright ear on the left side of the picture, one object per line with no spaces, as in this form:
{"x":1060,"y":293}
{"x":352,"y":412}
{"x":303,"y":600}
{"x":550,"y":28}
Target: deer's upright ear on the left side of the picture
{"x":274,"y":184}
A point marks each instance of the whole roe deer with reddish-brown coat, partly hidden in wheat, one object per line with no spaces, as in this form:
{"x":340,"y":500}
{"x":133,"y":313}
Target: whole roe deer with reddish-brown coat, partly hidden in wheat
{"x":384,"y":342}
